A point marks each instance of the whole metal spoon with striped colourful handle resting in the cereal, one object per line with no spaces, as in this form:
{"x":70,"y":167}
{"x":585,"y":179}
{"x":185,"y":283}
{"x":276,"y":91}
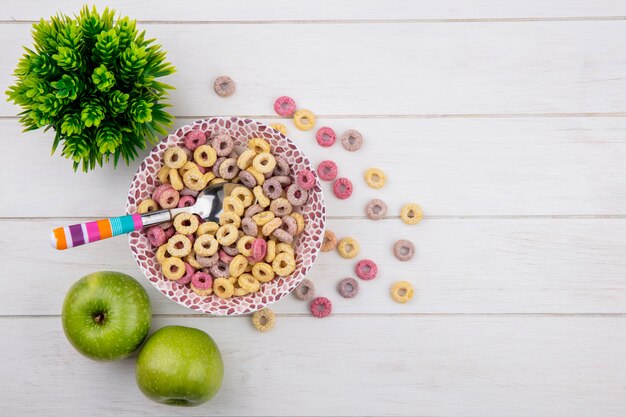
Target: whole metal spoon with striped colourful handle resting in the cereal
{"x":209,"y":206}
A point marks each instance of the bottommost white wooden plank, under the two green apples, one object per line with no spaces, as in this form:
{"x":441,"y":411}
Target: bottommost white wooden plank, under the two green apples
{"x":454,"y":366}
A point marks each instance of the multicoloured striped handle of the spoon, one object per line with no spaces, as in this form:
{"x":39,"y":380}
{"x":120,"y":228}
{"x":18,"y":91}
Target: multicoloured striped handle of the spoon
{"x":79,"y":234}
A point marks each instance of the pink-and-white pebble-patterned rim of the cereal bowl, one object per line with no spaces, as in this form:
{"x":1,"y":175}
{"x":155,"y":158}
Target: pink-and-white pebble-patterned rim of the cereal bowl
{"x":288,"y":283}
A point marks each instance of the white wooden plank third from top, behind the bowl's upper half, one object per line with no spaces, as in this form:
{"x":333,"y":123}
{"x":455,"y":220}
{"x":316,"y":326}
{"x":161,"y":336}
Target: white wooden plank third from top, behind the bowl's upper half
{"x":458,"y":167}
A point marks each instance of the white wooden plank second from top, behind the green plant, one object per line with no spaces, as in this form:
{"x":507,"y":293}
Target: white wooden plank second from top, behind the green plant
{"x":431,"y":68}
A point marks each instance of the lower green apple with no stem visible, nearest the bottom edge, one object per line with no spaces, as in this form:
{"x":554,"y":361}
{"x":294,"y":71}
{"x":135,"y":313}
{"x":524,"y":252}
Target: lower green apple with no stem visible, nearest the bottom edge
{"x":180,"y":366}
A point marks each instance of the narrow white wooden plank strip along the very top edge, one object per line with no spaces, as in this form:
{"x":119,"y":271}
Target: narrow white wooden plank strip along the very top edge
{"x":241,"y":10}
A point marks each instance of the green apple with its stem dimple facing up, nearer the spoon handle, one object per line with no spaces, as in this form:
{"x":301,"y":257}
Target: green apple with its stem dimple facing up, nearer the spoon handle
{"x":106,"y":315}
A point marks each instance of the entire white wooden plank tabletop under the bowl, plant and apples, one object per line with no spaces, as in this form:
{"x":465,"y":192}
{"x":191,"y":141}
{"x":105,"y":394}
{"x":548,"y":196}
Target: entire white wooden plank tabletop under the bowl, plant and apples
{"x":504,"y":119}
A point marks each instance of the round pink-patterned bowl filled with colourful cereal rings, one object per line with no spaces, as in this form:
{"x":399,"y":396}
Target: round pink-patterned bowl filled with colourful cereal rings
{"x":206,"y":266}
